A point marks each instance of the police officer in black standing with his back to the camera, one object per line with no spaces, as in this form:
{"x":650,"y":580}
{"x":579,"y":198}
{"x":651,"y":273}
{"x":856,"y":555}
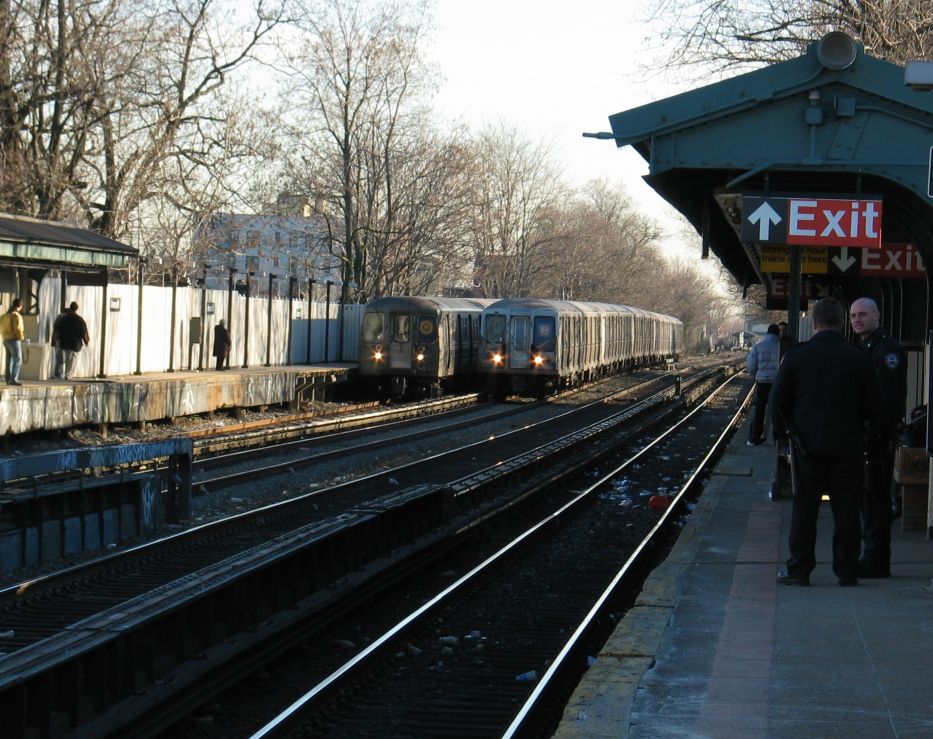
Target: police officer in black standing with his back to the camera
{"x":824,"y":393}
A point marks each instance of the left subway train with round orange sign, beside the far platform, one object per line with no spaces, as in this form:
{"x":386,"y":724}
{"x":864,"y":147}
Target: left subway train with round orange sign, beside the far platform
{"x":419,"y":347}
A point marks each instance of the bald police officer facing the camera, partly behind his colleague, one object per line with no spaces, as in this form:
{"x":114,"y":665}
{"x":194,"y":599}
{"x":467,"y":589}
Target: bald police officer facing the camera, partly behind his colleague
{"x":890,"y":366}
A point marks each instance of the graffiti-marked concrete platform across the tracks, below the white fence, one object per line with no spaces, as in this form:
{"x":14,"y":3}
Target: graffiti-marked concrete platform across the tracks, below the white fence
{"x":38,"y":405}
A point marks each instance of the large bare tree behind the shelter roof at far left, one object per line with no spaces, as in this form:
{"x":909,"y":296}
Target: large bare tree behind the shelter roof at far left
{"x":97,"y":97}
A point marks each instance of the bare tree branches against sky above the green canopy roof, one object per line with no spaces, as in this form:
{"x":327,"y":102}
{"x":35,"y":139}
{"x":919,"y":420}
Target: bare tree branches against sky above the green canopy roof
{"x":729,"y":34}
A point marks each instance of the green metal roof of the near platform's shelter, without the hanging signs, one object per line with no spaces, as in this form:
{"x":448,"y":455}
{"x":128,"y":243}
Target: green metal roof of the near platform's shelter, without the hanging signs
{"x":834,"y":121}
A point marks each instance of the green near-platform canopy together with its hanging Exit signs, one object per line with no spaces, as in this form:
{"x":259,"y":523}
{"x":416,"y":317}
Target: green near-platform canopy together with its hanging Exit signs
{"x":835,"y":124}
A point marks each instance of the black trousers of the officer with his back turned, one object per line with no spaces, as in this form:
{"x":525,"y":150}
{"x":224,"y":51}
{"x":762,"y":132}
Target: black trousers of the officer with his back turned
{"x":842,"y":478}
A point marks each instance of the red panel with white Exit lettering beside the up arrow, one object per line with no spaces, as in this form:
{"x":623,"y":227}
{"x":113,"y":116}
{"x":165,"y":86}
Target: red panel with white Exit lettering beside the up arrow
{"x":834,"y":222}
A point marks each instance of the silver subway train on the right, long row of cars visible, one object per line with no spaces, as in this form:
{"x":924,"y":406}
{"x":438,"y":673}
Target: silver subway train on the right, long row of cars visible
{"x":533,"y":347}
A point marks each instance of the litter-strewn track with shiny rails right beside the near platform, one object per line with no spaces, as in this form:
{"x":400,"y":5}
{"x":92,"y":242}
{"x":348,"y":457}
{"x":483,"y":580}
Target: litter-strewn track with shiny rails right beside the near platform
{"x":516,"y":627}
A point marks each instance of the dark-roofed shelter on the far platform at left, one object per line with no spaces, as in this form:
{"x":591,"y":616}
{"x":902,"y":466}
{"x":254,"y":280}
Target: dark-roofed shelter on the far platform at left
{"x":32,"y":249}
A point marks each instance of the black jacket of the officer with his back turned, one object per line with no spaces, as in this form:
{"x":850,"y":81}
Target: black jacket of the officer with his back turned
{"x":825,"y":392}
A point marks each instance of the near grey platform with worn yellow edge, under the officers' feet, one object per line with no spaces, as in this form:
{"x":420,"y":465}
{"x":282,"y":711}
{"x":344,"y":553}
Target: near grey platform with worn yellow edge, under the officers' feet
{"x":714,"y":647}
